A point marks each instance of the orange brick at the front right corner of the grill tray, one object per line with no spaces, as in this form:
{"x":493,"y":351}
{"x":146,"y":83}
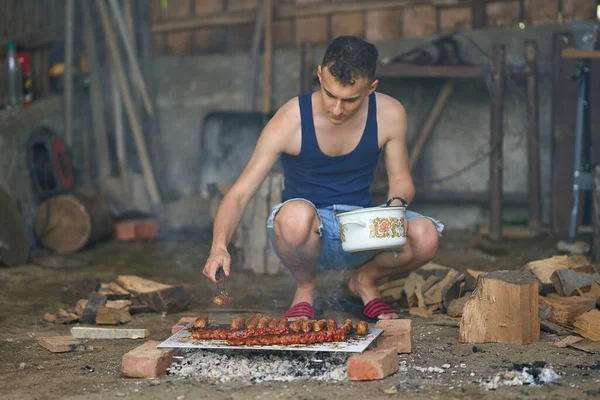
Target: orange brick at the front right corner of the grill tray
{"x":372,"y":364}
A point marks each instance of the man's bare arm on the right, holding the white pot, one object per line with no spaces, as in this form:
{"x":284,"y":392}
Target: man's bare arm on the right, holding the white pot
{"x":396,"y":153}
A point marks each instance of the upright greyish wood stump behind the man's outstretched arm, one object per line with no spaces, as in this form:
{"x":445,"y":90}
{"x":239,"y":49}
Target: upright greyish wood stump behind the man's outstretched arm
{"x":251,"y":241}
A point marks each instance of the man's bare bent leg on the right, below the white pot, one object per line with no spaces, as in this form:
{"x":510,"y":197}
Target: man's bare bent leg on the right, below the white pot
{"x":420,"y":247}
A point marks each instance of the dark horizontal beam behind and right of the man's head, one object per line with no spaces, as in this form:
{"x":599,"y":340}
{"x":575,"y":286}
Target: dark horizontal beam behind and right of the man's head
{"x":399,"y":70}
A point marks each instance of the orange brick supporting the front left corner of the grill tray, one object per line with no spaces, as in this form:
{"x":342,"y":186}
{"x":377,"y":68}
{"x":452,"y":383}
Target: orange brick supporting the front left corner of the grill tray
{"x":146,"y":361}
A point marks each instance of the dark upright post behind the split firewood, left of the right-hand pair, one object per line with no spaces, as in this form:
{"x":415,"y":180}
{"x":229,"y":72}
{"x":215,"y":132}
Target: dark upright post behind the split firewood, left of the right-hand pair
{"x":496,"y":143}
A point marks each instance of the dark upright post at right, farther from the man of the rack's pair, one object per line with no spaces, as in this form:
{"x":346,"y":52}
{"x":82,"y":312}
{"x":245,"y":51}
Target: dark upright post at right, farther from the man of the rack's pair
{"x":533,"y":142}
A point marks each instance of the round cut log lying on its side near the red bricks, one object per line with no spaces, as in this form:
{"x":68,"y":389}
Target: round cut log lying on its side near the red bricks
{"x":68,"y":222}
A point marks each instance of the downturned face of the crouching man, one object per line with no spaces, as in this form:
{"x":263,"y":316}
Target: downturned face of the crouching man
{"x":343,"y":102}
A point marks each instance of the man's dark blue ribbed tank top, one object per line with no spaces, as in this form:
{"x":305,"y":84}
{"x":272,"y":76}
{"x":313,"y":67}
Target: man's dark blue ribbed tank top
{"x":326,"y":180}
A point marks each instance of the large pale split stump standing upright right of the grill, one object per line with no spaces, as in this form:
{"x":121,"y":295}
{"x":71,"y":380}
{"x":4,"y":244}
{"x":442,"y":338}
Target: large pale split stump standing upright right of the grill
{"x":503,"y":308}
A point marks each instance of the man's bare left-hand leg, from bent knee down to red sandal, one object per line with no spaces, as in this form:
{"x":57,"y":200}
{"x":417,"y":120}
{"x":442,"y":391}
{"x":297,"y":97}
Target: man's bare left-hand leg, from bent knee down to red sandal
{"x":296,"y":237}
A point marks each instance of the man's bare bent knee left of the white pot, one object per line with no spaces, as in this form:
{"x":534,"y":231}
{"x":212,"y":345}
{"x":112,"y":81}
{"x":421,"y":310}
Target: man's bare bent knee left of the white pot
{"x":295,"y":223}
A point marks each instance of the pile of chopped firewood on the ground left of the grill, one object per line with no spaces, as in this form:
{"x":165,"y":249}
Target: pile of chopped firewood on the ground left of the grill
{"x":89,"y":301}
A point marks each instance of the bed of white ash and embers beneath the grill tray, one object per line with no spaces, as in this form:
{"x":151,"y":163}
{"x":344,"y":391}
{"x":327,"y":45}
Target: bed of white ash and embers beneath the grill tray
{"x":257,"y":366}
